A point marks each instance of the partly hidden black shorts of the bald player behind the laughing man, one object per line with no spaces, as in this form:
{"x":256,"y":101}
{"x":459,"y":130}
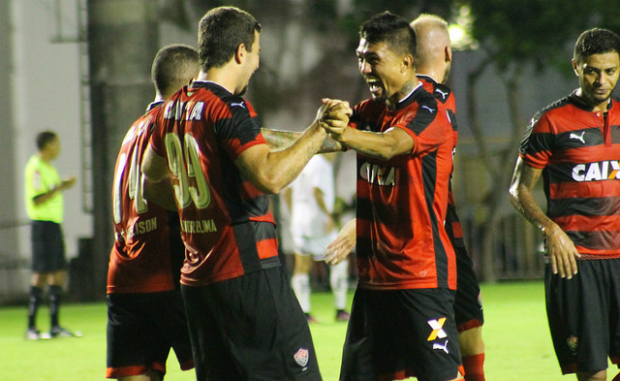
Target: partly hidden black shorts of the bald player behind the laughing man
{"x":467,"y":303}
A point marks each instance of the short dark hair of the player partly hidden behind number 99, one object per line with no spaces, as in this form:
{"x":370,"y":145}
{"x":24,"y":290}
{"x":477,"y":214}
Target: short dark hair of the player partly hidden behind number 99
{"x":173,"y":67}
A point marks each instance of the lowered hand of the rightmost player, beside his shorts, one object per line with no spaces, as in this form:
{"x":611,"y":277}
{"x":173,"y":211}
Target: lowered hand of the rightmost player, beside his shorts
{"x":562,"y":252}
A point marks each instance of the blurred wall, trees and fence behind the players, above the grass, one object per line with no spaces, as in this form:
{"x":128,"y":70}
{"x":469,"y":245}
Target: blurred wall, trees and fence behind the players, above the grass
{"x":82,"y":69}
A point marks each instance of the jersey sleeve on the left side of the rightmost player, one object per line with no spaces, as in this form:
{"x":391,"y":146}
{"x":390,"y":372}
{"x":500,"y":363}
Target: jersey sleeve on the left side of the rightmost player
{"x":536,"y":144}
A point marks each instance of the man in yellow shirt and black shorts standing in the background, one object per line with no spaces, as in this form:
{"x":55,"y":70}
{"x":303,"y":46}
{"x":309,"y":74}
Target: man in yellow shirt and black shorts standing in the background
{"x":44,"y":205}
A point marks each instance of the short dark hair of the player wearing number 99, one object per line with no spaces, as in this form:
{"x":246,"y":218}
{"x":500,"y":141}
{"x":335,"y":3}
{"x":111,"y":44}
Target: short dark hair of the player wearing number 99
{"x":221,"y":31}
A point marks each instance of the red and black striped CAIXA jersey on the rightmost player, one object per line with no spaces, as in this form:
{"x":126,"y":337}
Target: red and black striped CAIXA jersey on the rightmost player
{"x":579,"y":151}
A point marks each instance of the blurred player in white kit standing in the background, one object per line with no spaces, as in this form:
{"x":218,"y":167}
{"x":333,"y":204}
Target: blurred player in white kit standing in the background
{"x":313,"y":227}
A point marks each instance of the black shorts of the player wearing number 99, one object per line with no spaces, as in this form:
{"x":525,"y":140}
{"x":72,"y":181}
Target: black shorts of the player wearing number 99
{"x":250,"y":328}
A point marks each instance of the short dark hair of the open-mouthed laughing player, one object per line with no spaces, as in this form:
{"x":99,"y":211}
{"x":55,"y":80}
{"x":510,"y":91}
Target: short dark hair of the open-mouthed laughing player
{"x":390,"y":28}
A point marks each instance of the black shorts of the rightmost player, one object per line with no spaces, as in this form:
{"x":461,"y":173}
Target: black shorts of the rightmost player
{"x":583,"y":315}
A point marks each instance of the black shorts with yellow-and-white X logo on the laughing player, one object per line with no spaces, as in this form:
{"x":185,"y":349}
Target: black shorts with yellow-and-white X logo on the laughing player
{"x":393,"y":335}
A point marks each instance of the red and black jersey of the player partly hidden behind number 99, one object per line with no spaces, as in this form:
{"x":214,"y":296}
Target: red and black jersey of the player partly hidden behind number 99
{"x":144,"y":257}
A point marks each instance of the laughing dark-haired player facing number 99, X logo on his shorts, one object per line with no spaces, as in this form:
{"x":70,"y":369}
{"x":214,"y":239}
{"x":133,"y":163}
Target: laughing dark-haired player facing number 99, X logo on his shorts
{"x":402,"y":320}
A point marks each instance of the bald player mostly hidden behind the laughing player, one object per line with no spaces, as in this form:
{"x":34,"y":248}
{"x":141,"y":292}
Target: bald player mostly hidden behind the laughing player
{"x":433,"y":61}
